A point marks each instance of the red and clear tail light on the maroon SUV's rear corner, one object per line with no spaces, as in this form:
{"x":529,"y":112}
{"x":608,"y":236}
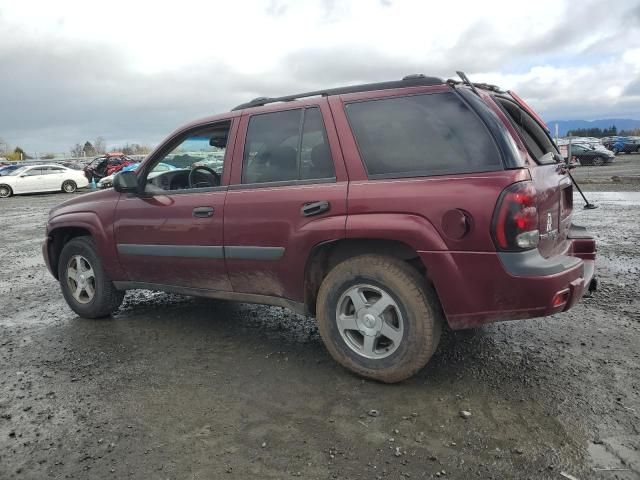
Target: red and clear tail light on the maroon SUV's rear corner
{"x":515,"y":220}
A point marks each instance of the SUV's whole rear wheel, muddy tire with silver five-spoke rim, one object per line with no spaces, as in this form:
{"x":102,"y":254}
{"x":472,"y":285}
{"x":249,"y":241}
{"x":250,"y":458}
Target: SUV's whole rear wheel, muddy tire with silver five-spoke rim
{"x":378,"y":317}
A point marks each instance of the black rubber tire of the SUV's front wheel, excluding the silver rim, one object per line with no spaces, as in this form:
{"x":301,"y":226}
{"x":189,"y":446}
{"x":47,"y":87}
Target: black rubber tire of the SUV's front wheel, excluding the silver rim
{"x":106,"y":298}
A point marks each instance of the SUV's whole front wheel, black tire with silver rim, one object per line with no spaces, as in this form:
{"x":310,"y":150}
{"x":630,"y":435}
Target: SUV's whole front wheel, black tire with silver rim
{"x":85,"y":286}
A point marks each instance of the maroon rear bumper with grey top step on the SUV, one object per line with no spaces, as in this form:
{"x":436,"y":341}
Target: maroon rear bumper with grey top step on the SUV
{"x":476,"y":288}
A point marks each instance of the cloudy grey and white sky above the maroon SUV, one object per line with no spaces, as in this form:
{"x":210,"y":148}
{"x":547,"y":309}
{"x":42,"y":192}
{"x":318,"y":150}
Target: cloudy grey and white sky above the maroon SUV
{"x":132,"y":71}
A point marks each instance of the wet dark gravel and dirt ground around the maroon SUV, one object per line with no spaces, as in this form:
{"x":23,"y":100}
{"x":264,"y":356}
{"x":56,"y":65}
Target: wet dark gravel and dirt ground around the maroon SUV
{"x":179,"y":388}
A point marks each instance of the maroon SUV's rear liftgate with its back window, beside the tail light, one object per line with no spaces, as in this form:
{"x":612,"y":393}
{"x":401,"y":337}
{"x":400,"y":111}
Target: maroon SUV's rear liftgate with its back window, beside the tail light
{"x":553,"y":185}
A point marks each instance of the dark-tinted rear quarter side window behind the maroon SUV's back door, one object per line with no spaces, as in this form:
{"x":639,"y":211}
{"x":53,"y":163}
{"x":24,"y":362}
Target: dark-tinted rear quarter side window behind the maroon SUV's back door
{"x":421,"y":135}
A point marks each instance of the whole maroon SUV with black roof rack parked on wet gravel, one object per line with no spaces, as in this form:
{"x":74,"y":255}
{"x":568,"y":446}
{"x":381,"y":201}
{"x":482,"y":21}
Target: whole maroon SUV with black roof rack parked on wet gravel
{"x":383,"y":210}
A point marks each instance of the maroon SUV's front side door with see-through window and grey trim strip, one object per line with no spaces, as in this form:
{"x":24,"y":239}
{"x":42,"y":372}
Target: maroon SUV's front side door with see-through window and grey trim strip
{"x":172,"y":233}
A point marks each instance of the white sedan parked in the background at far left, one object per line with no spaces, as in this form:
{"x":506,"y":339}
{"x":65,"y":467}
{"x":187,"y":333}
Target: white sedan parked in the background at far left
{"x":42,"y":178}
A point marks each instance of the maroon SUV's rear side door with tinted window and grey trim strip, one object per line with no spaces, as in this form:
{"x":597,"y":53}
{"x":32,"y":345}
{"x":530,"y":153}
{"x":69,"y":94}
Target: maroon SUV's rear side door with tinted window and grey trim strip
{"x":288,"y":193}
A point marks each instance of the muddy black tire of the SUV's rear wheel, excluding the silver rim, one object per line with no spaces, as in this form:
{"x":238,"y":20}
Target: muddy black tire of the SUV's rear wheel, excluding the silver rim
{"x":416,"y":301}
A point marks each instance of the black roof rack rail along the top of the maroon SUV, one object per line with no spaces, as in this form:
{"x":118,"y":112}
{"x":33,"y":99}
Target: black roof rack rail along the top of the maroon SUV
{"x":415,"y":80}
